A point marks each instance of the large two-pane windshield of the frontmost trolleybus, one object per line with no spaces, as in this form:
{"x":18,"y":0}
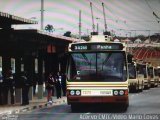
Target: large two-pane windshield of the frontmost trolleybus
{"x":100,"y":66}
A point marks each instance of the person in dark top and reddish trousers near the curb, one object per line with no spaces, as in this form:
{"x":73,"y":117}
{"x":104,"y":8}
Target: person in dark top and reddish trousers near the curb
{"x":50,"y":87}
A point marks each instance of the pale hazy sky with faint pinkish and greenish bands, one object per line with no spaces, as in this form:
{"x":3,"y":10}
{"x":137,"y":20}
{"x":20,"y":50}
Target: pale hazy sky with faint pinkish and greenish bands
{"x":124,"y":17}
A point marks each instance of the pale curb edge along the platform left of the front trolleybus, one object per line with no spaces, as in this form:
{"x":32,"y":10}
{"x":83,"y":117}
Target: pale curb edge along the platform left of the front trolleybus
{"x":34,"y":107}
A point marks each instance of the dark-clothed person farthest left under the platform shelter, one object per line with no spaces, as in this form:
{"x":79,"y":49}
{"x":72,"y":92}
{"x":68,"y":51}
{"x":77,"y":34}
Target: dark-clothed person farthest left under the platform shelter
{"x":9,"y":83}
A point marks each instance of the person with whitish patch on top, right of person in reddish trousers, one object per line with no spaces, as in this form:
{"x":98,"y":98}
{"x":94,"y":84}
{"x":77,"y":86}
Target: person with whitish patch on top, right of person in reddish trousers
{"x":58,"y":85}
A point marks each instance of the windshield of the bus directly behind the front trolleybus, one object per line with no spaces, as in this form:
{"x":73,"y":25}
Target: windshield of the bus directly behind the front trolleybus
{"x":132,"y":71}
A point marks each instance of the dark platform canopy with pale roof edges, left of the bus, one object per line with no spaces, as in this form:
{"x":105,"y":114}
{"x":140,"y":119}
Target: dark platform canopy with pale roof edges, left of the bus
{"x":14,"y":41}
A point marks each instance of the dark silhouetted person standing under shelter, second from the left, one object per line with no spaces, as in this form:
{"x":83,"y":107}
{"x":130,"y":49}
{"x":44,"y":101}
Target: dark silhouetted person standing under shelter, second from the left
{"x":25,"y":88}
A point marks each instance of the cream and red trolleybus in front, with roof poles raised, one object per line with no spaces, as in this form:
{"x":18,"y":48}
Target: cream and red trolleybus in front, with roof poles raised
{"x":97,"y":73}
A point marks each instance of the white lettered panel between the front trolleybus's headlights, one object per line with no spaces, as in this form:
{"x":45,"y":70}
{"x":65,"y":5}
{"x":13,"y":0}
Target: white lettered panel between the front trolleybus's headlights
{"x":96,"y":93}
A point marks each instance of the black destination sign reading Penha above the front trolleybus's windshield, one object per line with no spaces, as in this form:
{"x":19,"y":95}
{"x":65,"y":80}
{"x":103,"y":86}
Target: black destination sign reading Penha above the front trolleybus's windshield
{"x":96,"y":46}
